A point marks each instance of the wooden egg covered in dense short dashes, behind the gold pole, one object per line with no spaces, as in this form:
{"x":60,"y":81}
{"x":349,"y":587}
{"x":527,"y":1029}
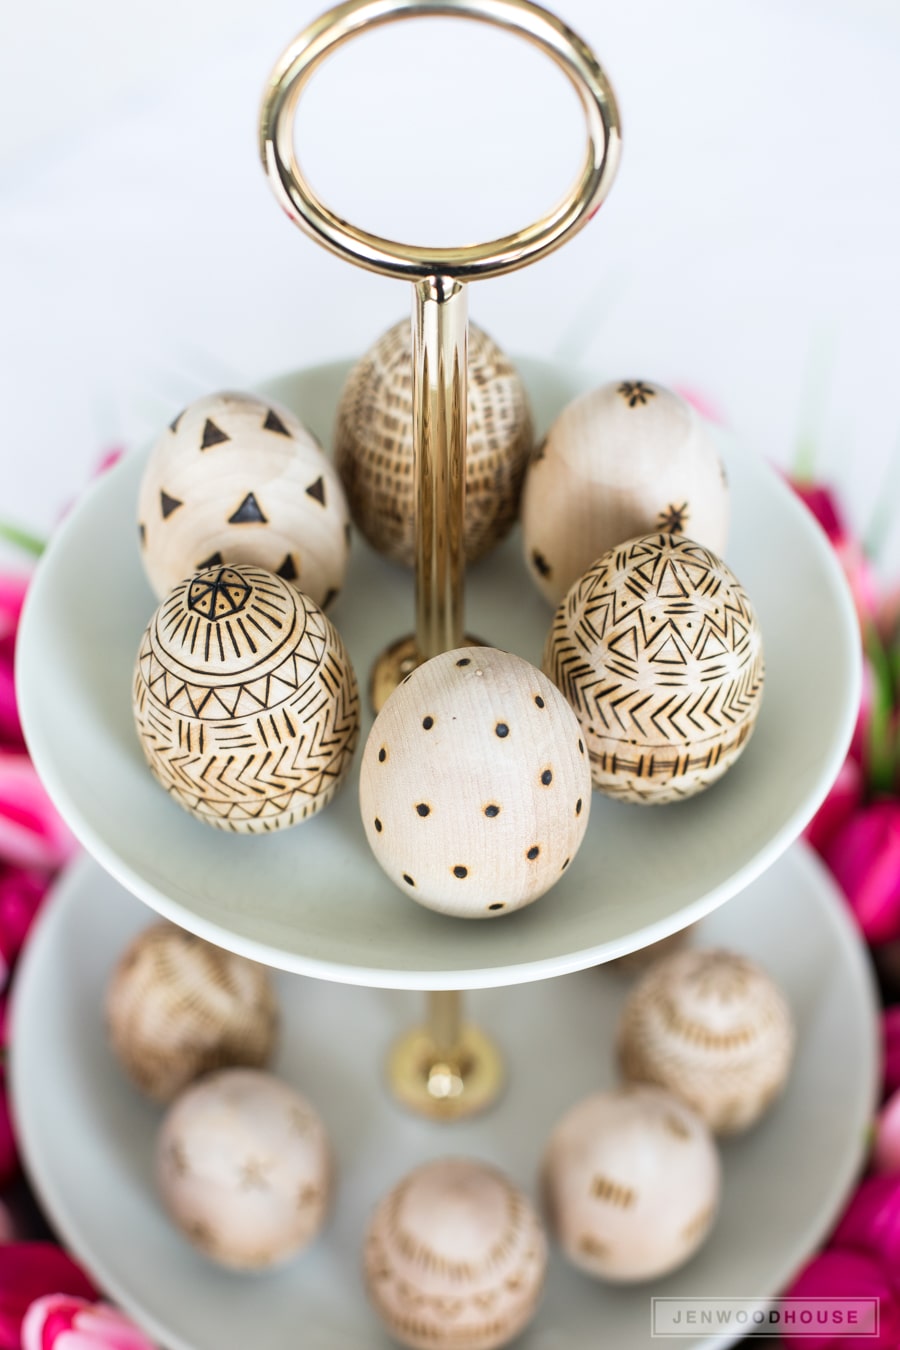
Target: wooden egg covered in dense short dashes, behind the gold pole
{"x":374,"y":446}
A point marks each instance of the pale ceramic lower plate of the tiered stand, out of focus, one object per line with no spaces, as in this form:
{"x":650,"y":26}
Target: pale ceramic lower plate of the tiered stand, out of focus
{"x":90,"y":1137}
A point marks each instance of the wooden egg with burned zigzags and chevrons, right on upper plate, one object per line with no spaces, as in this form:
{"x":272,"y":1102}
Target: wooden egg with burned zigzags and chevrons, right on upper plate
{"x":659,"y":651}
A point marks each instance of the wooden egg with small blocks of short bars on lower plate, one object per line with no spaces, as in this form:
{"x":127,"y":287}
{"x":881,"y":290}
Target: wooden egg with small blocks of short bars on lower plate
{"x":631,"y":1185}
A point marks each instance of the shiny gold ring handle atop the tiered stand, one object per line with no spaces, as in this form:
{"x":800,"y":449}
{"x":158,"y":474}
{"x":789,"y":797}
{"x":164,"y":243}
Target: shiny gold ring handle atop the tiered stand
{"x":306,"y":209}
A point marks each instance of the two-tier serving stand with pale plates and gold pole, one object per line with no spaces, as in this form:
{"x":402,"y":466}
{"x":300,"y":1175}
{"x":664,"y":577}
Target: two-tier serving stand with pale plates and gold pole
{"x":312,"y":901}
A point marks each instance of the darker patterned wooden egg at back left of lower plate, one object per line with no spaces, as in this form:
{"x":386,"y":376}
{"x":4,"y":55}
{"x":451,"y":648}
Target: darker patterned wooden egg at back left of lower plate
{"x":179,"y":1008}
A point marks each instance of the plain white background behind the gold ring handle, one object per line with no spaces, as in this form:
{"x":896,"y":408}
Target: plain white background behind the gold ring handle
{"x":750,"y":248}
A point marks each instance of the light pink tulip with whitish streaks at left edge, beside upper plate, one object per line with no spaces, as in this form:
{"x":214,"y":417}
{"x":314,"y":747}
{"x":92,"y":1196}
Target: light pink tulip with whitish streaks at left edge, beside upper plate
{"x":32,"y":834}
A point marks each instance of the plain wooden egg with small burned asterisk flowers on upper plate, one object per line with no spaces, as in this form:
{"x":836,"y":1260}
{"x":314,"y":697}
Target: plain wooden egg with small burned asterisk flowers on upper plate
{"x":627,"y":460}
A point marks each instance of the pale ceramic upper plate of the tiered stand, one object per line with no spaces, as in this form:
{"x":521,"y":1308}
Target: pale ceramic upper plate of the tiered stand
{"x":314,"y":900}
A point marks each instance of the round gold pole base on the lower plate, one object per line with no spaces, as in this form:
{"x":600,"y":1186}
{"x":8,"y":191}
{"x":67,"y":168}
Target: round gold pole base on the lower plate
{"x":446,"y":1087}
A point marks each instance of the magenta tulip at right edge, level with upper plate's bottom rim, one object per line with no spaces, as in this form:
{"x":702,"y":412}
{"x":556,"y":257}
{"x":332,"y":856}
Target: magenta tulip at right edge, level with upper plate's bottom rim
{"x":866,"y":859}
